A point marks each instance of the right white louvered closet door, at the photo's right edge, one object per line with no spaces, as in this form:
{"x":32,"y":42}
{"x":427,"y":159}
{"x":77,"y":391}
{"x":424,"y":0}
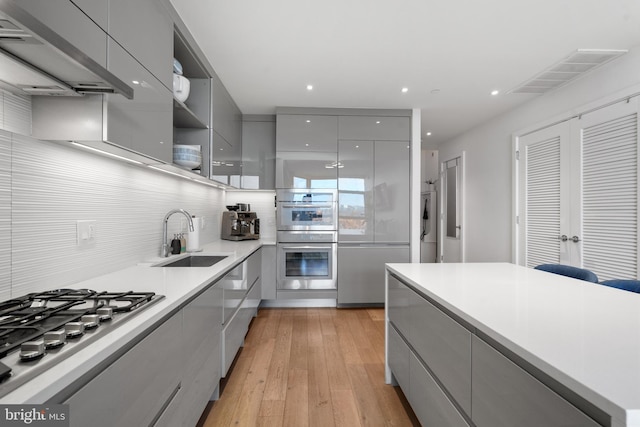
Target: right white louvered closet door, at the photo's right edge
{"x":607,"y":225}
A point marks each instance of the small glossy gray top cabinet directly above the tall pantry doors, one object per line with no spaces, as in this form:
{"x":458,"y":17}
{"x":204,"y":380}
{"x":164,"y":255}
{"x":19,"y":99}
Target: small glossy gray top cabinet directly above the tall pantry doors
{"x":375,"y":128}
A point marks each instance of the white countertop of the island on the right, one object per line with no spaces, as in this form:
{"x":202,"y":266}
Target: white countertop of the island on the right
{"x":584,"y":335}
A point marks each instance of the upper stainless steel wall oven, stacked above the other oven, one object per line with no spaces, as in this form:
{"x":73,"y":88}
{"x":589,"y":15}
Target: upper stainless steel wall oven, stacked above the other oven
{"x":305,"y":209}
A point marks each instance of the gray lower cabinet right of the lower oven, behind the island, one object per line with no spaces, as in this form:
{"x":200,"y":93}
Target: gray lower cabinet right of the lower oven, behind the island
{"x":361,"y":271}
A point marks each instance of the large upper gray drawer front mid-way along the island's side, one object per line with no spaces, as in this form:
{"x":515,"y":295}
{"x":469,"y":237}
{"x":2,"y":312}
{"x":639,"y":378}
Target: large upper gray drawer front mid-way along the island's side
{"x":444,"y":345}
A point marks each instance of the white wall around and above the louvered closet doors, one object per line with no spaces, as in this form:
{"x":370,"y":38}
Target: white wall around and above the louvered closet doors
{"x":488,"y":184}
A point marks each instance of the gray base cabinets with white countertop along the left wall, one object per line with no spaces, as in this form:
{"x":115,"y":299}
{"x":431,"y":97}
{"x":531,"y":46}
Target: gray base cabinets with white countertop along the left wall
{"x":149,"y":367}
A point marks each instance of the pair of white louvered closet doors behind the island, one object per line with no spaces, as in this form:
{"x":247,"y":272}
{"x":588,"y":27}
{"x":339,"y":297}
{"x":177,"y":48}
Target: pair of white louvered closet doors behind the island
{"x":578,"y":193}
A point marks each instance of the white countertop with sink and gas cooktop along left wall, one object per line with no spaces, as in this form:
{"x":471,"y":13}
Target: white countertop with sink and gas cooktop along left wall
{"x":178,"y":285}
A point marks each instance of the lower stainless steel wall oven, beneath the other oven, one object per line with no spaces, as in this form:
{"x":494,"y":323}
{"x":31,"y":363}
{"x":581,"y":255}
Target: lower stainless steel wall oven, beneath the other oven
{"x":306,"y":260}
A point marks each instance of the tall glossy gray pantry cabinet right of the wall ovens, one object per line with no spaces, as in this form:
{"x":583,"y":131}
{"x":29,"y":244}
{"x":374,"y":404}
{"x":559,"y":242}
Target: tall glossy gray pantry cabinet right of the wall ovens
{"x":373,"y":196}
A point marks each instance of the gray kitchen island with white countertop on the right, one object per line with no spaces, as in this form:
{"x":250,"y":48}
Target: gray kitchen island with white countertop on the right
{"x":496,"y":344}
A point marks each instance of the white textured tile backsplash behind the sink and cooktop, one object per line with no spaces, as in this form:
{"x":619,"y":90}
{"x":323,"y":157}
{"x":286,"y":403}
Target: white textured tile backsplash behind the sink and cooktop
{"x":45,"y":188}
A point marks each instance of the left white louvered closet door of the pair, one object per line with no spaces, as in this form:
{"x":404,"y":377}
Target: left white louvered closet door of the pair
{"x":543,"y":182}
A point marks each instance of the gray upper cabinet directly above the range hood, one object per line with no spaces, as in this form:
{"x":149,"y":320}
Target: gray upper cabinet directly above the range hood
{"x":71,"y":23}
